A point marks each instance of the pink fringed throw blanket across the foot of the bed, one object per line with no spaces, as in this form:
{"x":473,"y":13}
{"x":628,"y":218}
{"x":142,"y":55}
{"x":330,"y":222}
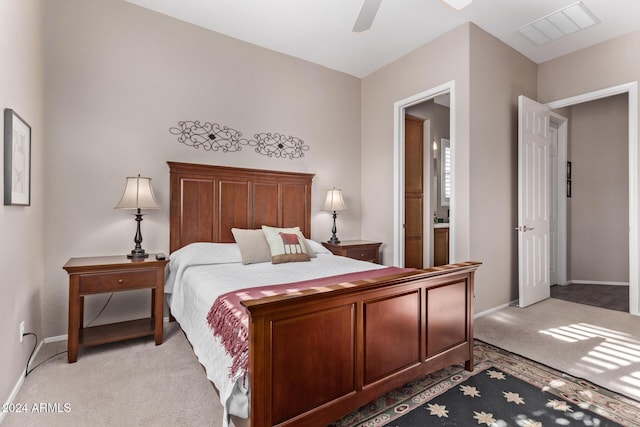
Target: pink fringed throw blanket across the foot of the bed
{"x":228,"y":319}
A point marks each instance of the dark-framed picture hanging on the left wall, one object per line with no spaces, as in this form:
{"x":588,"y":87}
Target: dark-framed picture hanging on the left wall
{"x":17,"y":160}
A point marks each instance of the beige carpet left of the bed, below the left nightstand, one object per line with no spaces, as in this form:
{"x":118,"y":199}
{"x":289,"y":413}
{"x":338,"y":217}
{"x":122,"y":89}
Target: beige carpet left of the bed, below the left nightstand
{"x":133,"y":383}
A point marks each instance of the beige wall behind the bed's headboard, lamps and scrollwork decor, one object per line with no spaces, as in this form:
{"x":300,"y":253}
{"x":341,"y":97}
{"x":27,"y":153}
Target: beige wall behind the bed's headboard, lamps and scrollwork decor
{"x":118,"y":77}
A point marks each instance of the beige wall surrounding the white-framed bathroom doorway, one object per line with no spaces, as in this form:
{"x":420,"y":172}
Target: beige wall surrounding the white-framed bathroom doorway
{"x":434,"y":64}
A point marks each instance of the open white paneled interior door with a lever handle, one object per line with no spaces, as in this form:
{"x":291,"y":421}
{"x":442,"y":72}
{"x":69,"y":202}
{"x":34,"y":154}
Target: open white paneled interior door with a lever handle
{"x":534,"y":209}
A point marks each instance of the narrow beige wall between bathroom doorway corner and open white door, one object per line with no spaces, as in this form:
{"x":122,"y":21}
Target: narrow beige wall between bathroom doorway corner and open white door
{"x":498,"y":75}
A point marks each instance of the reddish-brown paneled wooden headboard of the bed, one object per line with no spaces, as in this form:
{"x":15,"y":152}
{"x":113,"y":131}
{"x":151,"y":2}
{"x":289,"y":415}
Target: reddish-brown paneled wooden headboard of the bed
{"x":206,"y":201}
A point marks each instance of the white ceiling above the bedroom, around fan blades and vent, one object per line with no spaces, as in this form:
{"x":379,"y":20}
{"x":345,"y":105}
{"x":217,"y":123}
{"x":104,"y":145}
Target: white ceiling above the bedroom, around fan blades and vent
{"x":320,"y":30}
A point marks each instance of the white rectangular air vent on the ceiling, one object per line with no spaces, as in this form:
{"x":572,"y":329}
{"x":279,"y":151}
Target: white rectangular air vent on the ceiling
{"x":565,"y":21}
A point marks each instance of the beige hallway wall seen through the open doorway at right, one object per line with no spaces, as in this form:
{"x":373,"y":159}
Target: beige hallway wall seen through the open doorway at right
{"x":598,"y":220}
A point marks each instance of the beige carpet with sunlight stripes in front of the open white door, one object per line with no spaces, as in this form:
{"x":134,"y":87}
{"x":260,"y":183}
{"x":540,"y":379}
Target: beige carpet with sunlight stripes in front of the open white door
{"x":599,"y":345}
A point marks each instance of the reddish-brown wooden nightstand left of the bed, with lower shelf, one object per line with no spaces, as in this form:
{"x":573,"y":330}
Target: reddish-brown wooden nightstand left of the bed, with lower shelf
{"x":97,"y":275}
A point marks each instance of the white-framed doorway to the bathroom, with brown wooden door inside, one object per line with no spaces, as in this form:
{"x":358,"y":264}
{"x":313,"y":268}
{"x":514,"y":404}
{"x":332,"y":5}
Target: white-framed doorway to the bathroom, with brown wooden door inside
{"x":424,"y":197}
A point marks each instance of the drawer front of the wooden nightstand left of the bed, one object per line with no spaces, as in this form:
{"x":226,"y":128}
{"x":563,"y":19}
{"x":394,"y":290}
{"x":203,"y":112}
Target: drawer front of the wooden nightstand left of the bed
{"x":117,"y":281}
